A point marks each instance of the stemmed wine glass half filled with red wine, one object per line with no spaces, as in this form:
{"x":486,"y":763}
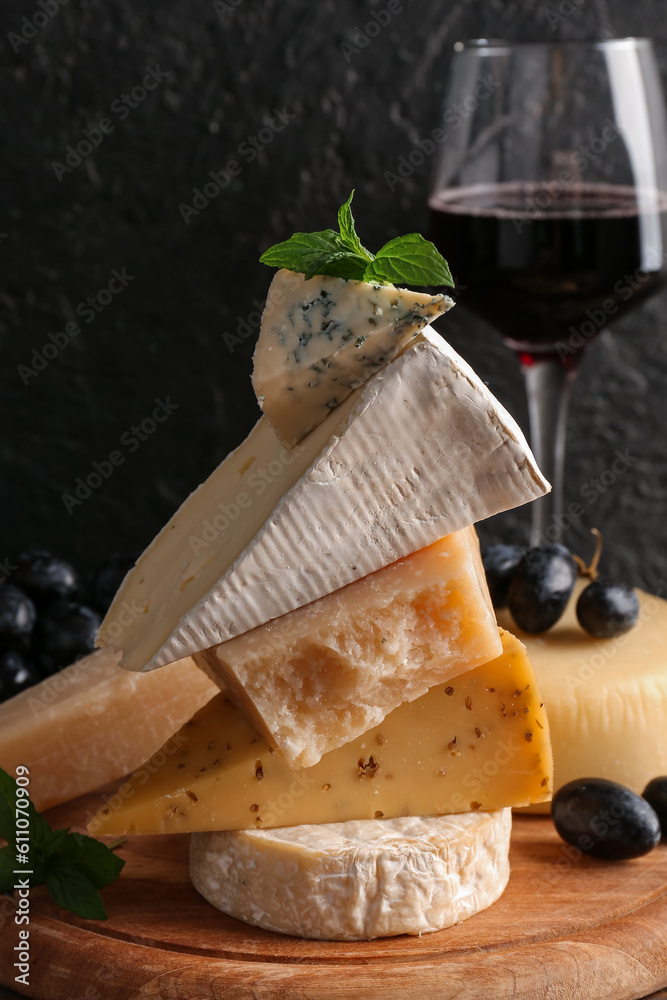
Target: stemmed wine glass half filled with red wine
{"x":549,"y":200}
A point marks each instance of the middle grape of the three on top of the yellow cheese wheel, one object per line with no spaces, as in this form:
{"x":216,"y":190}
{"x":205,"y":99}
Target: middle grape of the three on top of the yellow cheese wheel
{"x":541,"y":587}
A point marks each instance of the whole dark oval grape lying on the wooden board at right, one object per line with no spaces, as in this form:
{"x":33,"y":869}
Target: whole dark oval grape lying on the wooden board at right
{"x":605,"y":819}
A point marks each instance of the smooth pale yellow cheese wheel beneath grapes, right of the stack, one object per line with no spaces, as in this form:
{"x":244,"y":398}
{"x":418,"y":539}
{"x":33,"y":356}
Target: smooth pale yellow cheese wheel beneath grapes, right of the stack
{"x":606,"y":698}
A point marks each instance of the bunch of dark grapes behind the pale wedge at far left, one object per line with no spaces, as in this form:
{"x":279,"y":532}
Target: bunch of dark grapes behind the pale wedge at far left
{"x":49,"y":615}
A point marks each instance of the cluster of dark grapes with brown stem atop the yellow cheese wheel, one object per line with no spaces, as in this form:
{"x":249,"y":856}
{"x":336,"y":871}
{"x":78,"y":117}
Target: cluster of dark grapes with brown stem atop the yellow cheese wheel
{"x":537,"y":583}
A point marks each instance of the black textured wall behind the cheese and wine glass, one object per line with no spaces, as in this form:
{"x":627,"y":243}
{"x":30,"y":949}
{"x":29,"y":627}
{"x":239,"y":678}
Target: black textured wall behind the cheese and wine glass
{"x":163,"y":335}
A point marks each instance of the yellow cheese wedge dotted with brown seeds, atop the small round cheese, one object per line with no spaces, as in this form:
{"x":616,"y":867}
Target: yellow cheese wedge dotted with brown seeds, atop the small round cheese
{"x":477,"y":742}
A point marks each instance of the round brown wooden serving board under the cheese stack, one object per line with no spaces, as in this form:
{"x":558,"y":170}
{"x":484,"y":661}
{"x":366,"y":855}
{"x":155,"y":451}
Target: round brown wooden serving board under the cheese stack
{"x":566,"y":928}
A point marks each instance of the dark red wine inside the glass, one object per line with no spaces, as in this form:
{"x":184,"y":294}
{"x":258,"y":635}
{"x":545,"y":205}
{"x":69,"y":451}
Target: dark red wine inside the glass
{"x":550,"y":278}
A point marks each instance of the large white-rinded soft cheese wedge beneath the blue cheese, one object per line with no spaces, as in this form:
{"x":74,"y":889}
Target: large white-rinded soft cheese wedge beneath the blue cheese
{"x":422,"y":450}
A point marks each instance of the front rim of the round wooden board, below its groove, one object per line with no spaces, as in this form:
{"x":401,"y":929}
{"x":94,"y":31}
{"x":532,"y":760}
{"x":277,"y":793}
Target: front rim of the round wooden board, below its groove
{"x":624,"y":960}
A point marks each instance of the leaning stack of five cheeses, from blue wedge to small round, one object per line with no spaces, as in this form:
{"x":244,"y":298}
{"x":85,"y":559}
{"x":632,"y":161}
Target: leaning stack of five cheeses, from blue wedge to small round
{"x":354,"y":776}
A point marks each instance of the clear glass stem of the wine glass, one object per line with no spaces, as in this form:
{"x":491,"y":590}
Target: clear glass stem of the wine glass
{"x":548,"y":384}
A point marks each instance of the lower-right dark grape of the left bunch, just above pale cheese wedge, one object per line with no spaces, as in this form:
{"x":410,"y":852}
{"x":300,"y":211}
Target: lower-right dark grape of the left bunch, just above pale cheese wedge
{"x":64,"y":632}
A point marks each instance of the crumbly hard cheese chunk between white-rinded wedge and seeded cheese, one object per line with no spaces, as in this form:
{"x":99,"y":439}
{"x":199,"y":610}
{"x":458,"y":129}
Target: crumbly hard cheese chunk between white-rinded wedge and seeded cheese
{"x":325,"y":673}
